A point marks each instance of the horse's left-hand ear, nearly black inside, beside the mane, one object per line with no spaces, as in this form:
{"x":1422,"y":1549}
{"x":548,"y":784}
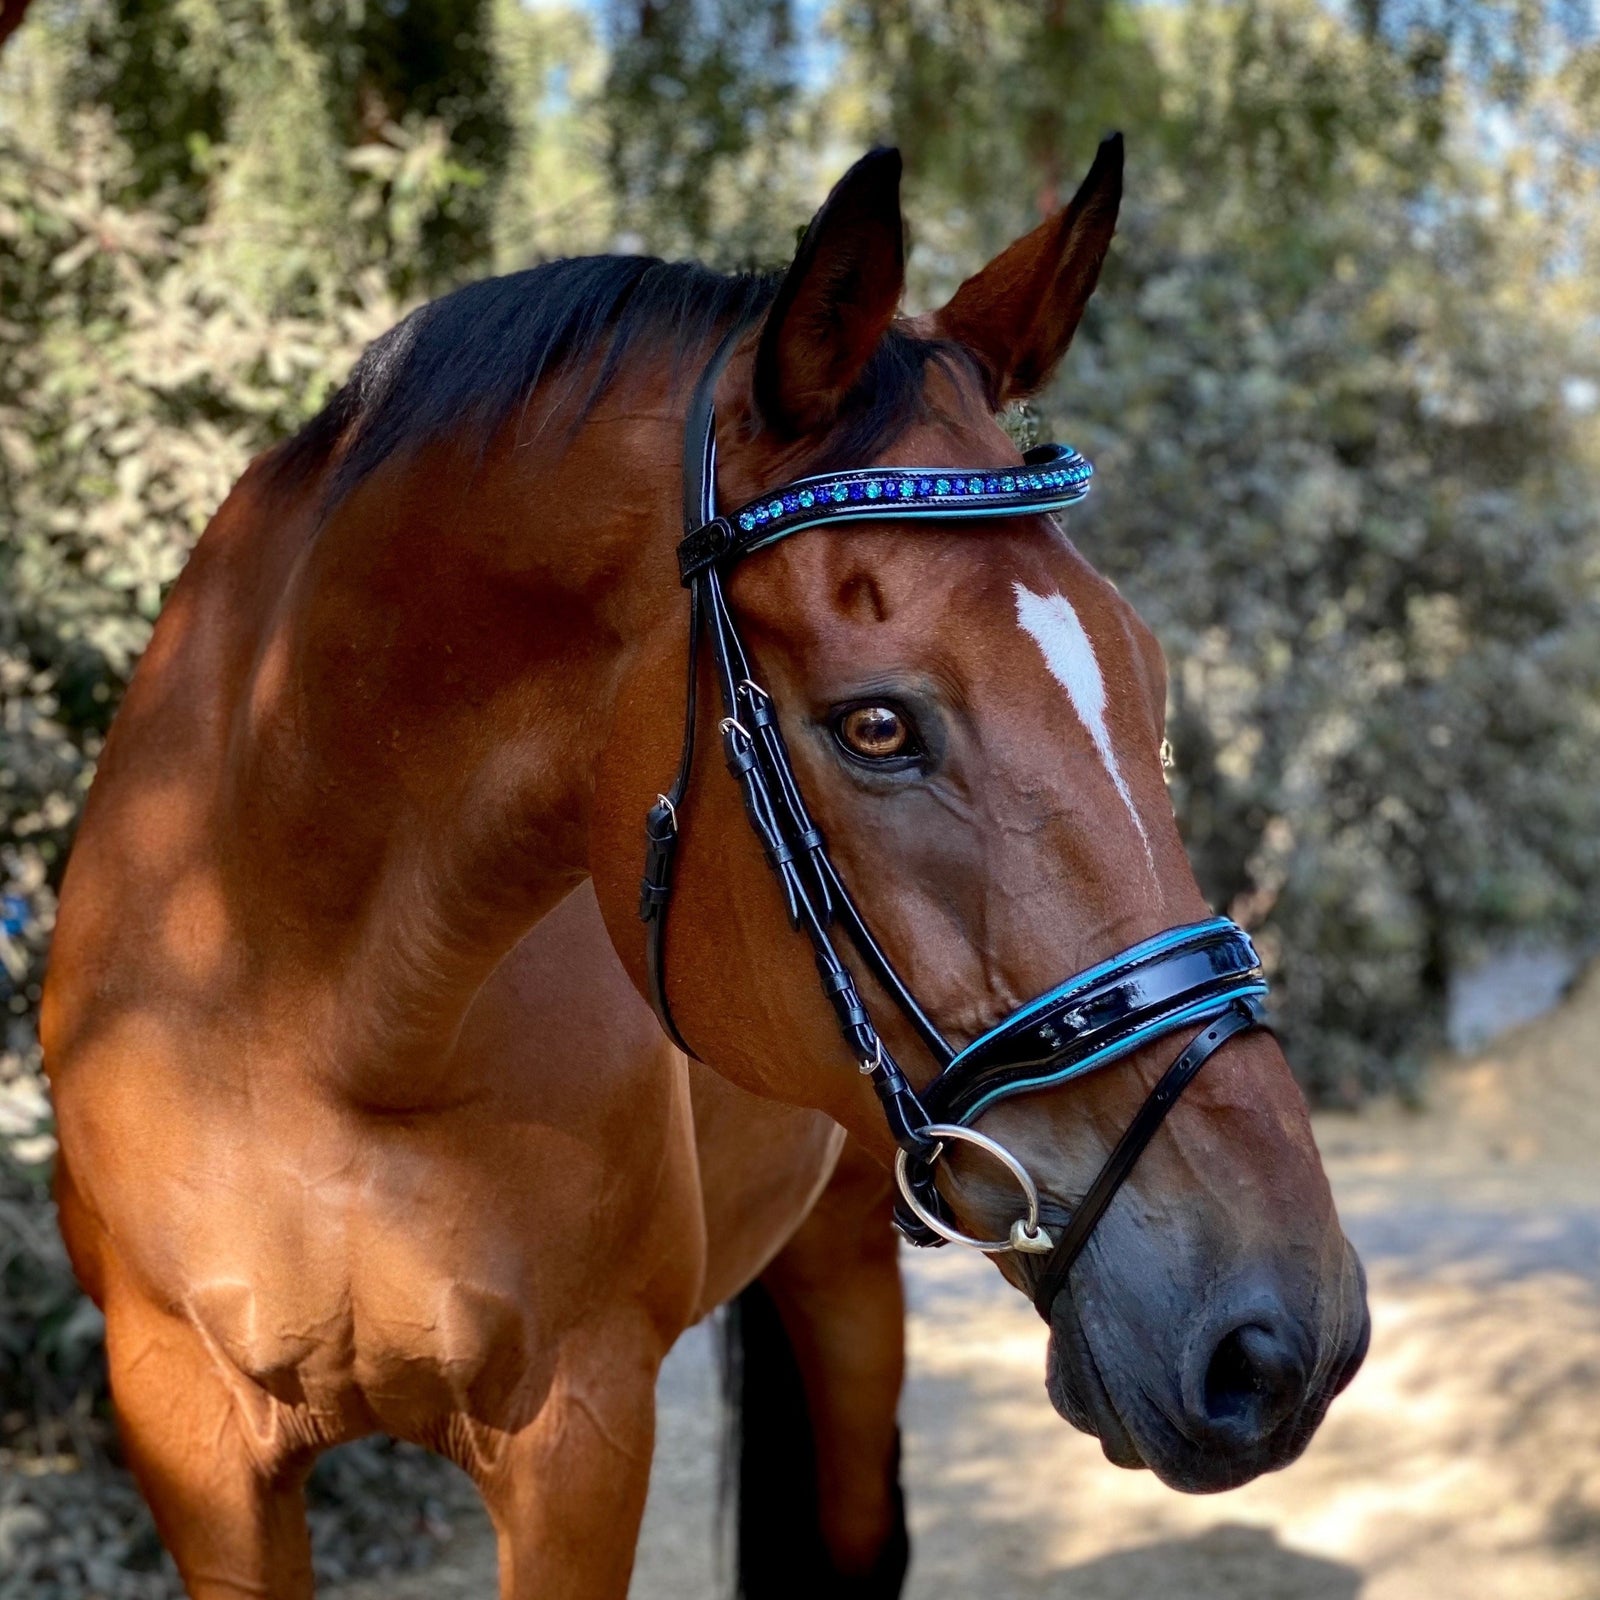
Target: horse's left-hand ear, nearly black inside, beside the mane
{"x":836,"y":302}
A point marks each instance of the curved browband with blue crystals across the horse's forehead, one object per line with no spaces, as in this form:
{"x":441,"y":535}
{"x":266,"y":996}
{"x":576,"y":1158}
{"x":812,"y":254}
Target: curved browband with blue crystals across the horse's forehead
{"x":1050,"y":478}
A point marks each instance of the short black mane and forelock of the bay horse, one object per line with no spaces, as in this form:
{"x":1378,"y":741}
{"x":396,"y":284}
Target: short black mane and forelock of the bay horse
{"x":474,"y":359}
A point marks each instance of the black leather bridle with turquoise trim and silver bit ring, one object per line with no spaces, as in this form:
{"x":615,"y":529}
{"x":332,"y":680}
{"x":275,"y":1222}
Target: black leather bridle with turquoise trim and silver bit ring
{"x":1204,"y":974}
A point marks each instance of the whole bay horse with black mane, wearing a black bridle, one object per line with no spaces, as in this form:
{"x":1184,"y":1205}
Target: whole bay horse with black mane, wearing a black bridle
{"x":364,"y":1121}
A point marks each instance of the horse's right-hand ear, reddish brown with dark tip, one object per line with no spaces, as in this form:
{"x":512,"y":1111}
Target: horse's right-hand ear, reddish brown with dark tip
{"x":1018,"y":316}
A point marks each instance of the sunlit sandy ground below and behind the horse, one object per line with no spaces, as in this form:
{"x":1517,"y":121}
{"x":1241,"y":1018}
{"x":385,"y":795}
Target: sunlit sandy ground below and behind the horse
{"x":1462,"y":1465}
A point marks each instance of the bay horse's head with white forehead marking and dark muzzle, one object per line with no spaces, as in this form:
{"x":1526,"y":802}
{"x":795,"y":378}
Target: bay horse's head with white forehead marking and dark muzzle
{"x":975,"y":721}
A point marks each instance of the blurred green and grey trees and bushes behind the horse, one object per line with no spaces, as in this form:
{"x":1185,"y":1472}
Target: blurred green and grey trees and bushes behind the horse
{"x":1342,"y":385}
